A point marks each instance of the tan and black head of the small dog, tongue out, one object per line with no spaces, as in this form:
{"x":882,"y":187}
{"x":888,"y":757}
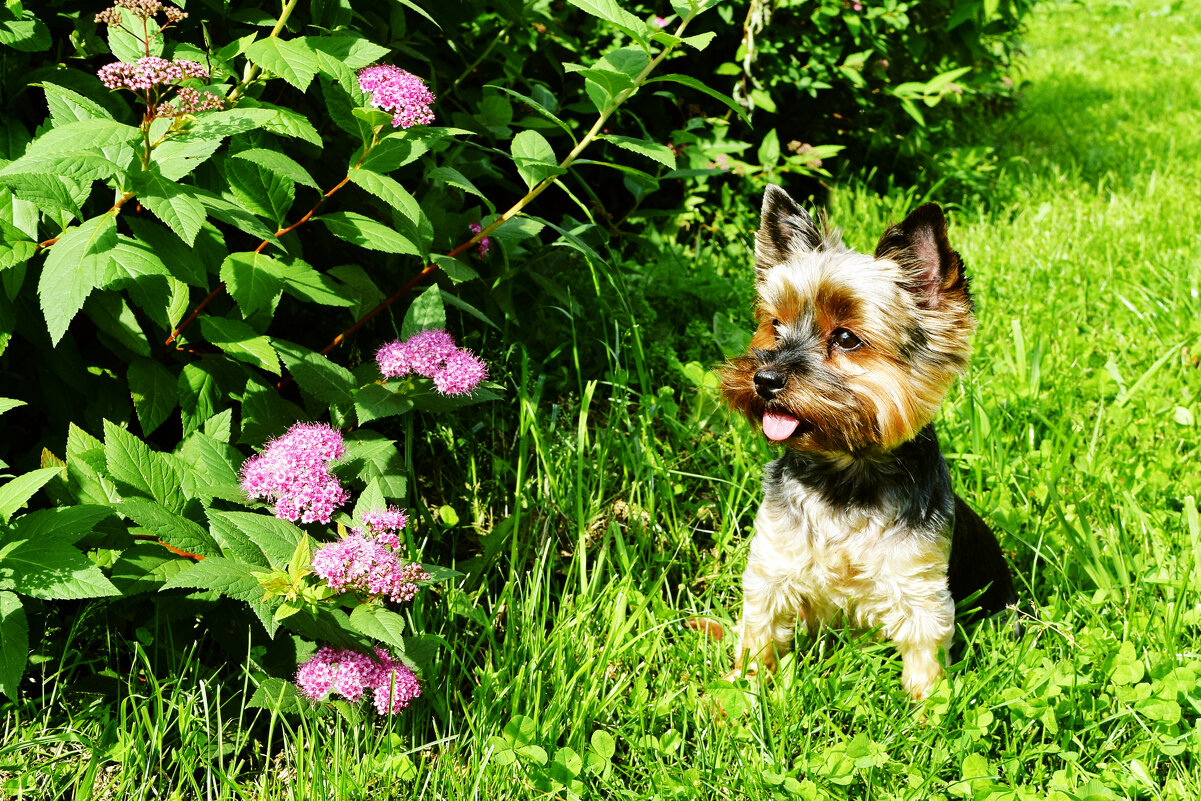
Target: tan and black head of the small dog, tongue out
{"x":853,"y":352}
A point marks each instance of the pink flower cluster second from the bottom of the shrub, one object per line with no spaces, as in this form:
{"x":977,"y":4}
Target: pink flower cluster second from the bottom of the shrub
{"x":361,"y":561}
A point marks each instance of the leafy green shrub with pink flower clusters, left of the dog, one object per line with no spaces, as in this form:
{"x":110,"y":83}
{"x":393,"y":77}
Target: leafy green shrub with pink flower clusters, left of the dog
{"x":204,"y":240}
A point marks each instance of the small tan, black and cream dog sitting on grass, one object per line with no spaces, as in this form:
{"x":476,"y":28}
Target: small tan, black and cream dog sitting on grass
{"x":851,"y":361}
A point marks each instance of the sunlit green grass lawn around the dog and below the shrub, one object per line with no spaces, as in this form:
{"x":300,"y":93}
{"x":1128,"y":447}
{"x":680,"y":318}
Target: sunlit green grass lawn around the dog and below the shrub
{"x":610,"y":521}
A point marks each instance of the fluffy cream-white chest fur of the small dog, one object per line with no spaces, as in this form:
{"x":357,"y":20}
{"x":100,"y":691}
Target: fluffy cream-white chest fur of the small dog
{"x":851,"y":560}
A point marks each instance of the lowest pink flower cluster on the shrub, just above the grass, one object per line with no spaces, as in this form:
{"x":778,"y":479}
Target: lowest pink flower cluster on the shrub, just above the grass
{"x":351,"y":674}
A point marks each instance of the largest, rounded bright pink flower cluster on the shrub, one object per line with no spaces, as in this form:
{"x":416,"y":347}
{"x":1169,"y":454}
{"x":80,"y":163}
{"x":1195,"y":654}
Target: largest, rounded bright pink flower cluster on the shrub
{"x":294,"y":473}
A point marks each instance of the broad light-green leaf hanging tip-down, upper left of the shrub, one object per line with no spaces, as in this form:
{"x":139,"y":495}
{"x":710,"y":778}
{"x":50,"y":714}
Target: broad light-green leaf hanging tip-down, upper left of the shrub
{"x":73,"y":271}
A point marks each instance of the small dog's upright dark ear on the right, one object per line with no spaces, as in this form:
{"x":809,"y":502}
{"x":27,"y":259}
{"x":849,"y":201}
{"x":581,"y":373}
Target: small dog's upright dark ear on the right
{"x":921,"y":247}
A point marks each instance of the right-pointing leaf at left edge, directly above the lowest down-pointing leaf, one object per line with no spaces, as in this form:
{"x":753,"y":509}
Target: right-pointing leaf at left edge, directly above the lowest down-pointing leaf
{"x":51,"y":570}
